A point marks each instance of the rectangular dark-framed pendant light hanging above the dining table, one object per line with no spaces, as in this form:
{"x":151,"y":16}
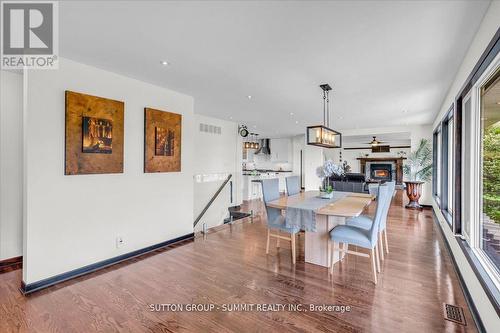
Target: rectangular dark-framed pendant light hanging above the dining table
{"x":323,"y":135}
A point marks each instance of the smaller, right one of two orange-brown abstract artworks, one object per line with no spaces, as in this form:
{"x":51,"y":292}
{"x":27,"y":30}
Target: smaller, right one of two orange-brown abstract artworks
{"x":162,"y":141}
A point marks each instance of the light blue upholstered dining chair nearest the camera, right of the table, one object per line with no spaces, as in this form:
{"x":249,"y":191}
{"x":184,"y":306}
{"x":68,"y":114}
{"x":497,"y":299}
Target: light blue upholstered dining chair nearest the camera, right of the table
{"x":368,"y":239}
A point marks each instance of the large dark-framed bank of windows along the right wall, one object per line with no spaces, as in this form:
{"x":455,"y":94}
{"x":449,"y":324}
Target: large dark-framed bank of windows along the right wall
{"x":466,"y":183}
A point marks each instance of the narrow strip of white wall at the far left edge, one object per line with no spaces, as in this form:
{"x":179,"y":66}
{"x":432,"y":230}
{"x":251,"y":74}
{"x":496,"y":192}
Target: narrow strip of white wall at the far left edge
{"x":11,"y":118}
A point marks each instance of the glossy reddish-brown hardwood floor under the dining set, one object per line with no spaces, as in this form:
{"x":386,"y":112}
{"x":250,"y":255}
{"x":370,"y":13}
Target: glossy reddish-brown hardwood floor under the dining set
{"x":230,"y":266}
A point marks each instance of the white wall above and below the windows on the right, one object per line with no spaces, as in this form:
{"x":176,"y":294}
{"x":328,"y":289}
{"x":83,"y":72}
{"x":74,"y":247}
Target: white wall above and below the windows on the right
{"x":487,"y":30}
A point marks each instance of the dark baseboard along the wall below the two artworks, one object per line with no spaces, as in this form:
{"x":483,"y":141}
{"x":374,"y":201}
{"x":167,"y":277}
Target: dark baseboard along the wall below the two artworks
{"x":42,"y":284}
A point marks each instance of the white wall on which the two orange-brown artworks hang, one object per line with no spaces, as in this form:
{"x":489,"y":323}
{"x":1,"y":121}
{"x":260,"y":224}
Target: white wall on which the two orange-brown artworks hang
{"x":72,"y":221}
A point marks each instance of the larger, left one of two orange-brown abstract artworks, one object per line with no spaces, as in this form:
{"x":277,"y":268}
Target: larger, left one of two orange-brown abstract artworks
{"x":94,"y":135}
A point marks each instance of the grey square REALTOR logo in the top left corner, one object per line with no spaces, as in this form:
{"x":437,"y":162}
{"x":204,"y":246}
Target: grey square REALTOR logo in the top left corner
{"x":29,"y":34}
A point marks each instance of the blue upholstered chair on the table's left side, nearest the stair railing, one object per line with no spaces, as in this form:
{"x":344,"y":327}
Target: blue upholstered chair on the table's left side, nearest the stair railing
{"x":275,"y":220}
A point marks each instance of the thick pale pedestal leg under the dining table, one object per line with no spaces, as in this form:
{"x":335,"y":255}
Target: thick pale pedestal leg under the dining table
{"x":317,"y":246}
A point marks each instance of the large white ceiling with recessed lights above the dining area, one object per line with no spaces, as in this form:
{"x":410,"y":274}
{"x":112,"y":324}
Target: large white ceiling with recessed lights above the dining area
{"x":381,"y":57}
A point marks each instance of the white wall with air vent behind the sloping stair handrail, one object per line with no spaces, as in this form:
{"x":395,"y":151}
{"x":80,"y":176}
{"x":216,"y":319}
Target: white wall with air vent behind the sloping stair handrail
{"x":216,"y":156}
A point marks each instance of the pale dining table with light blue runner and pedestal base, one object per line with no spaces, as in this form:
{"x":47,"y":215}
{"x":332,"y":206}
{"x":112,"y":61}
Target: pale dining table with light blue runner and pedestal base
{"x":317,"y":216}
